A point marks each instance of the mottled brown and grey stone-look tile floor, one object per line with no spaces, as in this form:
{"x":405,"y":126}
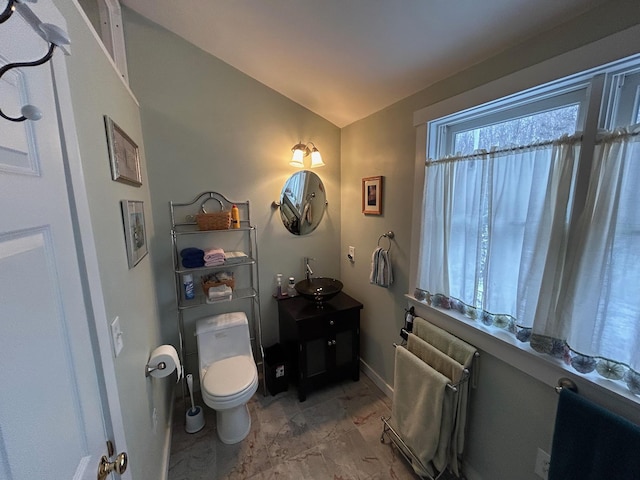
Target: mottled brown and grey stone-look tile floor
{"x":334,"y":434}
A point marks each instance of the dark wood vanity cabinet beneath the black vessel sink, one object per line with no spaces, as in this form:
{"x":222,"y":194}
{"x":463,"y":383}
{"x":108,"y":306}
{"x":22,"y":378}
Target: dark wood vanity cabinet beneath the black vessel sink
{"x":322,"y":342}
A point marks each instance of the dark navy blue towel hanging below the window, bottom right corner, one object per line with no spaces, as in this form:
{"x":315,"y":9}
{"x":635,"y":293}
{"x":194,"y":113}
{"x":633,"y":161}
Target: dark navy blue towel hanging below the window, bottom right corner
{"x":591,"y":443}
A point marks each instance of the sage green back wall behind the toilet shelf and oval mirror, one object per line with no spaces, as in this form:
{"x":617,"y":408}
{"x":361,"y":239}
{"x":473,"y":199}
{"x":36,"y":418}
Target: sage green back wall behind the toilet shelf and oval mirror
{"x":208,"y":126}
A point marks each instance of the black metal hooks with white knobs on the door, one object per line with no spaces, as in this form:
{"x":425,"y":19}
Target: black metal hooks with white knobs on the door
{"x":52,"y":34}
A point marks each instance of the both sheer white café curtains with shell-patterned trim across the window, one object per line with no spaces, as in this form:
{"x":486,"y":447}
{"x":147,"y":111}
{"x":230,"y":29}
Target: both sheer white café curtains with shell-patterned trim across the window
{"x":497,"y":244}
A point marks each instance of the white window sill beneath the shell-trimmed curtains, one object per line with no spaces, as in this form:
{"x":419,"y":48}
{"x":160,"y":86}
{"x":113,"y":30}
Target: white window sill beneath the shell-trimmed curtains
{"x":505,"y":347}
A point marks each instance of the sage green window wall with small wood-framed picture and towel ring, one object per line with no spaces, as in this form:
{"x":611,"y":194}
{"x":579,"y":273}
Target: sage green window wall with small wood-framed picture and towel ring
{"x":512,"y":413}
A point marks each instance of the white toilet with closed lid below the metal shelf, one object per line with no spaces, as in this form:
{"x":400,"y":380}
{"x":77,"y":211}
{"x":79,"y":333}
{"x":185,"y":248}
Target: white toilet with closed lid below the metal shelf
{"x":228,"y":373}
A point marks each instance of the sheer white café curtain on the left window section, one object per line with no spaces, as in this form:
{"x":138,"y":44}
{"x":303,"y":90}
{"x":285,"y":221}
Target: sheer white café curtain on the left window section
{"x":493,"y":223}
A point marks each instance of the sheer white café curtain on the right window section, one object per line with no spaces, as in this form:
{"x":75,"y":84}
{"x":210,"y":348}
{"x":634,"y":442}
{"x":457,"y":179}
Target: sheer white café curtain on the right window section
{"x":600,"y":311}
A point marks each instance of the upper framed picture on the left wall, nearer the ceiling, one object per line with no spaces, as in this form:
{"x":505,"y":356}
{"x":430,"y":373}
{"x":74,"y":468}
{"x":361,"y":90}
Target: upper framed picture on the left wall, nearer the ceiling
{"x":123,"y":155}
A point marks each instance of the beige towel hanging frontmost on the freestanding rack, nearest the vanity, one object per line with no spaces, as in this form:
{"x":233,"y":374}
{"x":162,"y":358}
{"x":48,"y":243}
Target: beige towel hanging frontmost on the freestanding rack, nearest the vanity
{"x":419,"y":393}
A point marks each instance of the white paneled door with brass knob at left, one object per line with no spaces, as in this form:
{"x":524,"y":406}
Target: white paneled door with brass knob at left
{"x":54,"y":421}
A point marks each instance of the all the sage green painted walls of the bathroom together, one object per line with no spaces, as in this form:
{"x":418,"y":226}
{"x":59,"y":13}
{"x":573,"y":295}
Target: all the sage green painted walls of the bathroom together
{"x":207,"y":126}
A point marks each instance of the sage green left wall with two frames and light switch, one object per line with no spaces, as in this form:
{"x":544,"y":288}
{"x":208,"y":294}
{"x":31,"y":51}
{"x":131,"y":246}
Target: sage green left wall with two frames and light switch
{"x":129,"y":294}
